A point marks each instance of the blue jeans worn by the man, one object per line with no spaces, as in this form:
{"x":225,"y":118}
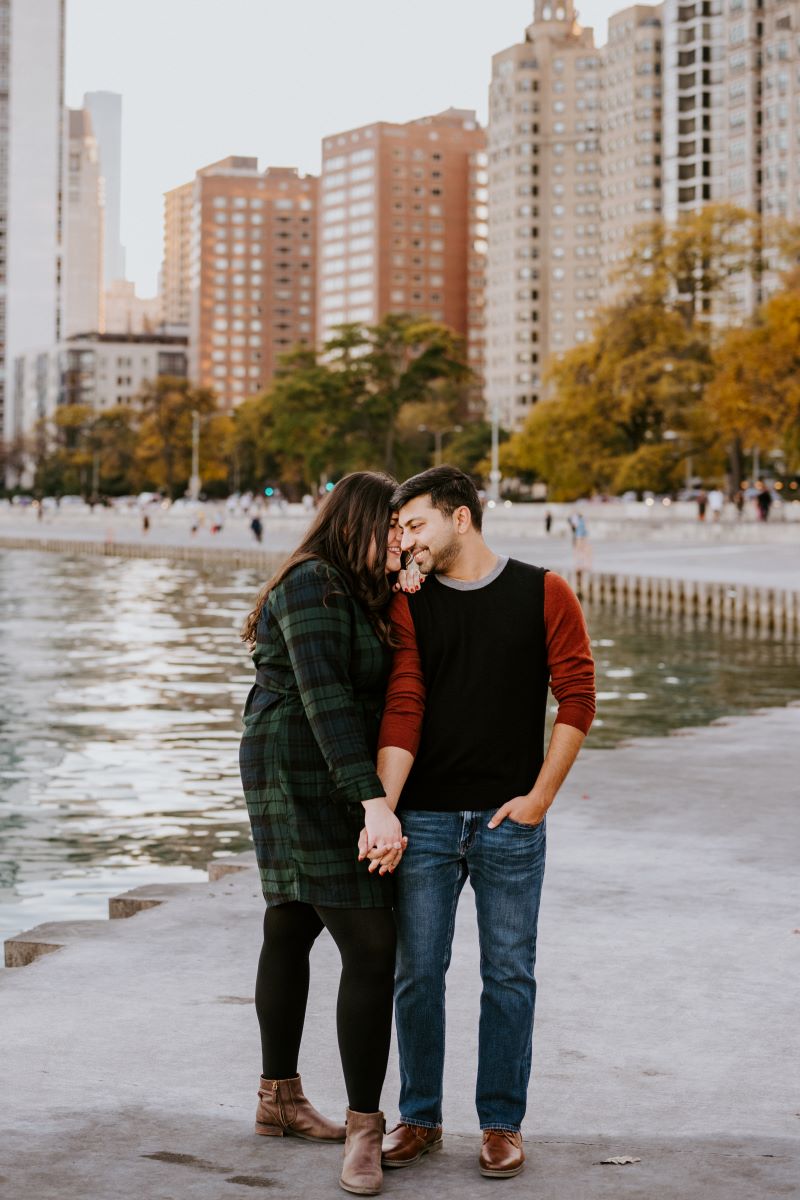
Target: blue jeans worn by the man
{"x":506,"y":868}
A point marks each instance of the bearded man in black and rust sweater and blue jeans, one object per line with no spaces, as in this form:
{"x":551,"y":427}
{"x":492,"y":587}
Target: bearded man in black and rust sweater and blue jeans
{"x":480,"y":641}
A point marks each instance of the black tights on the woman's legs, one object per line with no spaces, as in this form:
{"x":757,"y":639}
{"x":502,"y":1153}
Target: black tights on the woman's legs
{"x":364,"y":1012}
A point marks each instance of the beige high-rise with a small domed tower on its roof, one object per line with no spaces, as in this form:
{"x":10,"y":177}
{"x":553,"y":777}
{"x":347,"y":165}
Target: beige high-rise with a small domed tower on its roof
{"x":544,"y":272}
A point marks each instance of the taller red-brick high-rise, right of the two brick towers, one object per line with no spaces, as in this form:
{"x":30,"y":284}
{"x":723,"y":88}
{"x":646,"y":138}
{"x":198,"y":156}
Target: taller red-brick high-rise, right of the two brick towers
{"x":404,"y":214}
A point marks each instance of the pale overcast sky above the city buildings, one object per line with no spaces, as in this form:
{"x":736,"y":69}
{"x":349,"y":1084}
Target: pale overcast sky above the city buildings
{"x":202,"y":80}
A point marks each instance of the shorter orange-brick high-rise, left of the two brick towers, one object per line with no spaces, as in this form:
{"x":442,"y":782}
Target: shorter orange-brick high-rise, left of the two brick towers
{"x":252,"y":273}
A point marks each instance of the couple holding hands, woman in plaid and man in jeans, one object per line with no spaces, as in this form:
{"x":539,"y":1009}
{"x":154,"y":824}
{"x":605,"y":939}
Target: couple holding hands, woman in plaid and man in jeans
{"x":430,"y":704}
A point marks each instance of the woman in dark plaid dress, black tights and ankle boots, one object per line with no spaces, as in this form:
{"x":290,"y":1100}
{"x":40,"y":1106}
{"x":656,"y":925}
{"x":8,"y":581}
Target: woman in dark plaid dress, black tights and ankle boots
{"x":322,"y":649}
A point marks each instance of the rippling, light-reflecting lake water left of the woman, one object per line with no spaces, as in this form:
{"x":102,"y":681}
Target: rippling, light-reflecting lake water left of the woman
{"x":121,"y":689}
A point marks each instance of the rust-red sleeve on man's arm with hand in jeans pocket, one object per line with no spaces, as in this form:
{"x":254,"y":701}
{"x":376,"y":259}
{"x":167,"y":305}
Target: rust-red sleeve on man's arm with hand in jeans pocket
{"x":569,"y":655}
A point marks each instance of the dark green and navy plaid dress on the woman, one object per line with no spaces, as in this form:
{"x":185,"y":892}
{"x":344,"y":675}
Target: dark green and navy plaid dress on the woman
{"x":308,"y":754}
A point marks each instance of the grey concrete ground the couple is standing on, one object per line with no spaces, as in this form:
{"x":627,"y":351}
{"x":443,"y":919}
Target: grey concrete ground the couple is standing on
{"x":667,"y":1022}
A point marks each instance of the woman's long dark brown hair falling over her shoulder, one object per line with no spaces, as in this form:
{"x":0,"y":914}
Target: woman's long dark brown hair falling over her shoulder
{"x":357,"y":512}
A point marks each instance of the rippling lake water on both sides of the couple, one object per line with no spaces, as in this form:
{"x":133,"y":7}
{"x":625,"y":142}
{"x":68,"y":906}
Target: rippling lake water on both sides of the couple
{"x":122,"y":686}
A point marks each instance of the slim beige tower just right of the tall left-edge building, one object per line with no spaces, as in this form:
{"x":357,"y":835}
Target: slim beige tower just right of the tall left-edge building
{"x":83,"y":251}
